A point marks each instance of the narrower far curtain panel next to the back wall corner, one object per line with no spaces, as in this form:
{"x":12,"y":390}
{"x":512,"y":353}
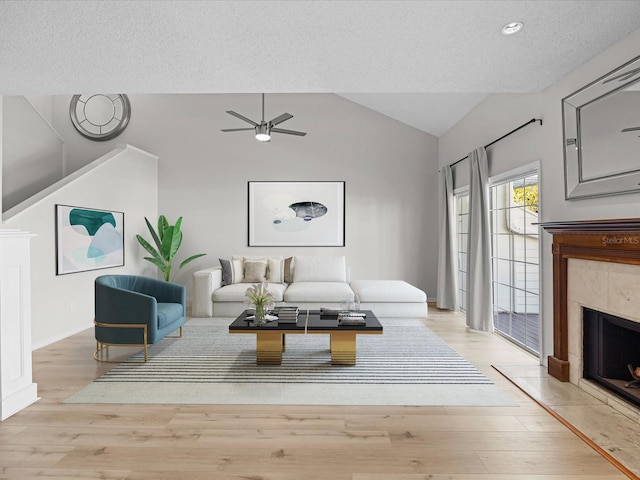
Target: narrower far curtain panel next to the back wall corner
{"x":447,"y":297}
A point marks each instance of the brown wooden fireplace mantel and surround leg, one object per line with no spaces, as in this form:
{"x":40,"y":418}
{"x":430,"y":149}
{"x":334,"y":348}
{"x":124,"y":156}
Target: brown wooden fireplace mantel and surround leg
{"x":615,"y":241}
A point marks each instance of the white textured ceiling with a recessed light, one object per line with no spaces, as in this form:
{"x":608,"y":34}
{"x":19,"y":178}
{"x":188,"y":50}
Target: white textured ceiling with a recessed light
{"x":426,"y":63}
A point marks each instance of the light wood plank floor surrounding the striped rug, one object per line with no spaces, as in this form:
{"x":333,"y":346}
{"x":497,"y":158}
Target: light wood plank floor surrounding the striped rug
{"x":55,"y":440}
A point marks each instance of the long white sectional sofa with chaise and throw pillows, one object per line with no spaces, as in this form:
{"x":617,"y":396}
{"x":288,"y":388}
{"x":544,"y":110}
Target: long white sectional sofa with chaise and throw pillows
{"x":309,"y":282}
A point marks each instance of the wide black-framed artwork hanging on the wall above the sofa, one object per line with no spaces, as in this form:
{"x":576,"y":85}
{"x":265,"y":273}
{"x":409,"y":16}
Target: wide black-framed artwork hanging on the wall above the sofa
{"x":287,"y":214}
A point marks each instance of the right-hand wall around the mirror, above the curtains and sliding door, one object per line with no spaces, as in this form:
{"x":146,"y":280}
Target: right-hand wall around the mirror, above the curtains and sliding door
{"x":499,"y":114}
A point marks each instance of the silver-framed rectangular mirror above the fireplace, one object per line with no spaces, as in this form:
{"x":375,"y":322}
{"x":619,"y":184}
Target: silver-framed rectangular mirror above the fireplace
{"x":601,"y":128}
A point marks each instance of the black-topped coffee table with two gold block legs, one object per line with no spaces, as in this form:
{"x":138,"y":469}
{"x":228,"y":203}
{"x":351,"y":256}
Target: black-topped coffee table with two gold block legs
{"x":270,"y":337}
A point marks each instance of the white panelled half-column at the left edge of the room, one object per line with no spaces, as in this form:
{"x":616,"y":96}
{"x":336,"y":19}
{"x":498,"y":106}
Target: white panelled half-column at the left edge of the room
{"x":17,"y":390}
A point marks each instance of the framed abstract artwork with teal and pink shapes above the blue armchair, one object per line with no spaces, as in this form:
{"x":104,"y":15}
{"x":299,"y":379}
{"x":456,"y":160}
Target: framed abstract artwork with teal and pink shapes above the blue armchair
{"x":88,"y":239}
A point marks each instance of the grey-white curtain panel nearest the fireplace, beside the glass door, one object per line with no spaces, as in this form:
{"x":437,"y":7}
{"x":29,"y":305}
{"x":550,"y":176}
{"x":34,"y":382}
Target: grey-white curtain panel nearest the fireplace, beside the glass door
{"x":479,"y":301}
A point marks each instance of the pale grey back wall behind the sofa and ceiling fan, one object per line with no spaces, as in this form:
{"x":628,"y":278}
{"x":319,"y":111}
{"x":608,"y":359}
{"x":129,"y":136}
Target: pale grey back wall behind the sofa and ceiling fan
{"x":390,"y":171}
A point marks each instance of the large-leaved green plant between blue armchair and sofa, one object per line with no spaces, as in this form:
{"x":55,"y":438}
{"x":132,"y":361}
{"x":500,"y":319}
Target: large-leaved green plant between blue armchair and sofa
{"x":167,"y":241}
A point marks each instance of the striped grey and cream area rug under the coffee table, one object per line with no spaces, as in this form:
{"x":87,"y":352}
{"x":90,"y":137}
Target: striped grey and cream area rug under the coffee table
{"x":405,"y":360}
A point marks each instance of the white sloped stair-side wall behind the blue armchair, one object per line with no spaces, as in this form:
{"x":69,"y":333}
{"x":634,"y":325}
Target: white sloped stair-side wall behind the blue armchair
{"x":63,"y":305}
